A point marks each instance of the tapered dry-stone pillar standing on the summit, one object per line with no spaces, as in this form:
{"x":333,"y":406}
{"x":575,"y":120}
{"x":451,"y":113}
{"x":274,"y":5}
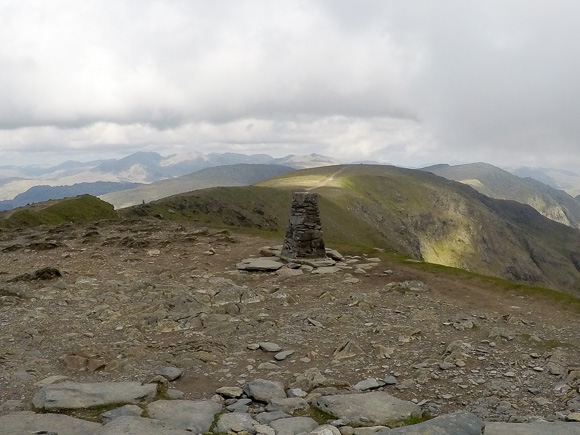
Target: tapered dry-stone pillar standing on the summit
{"x":303,"y":237}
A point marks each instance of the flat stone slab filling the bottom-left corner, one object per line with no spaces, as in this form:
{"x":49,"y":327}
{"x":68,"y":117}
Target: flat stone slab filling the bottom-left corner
{"x":27,"y":422}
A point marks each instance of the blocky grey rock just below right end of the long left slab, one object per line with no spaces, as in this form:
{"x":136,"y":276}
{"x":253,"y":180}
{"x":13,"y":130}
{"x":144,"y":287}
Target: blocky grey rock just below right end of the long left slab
{"x":192,"y":415}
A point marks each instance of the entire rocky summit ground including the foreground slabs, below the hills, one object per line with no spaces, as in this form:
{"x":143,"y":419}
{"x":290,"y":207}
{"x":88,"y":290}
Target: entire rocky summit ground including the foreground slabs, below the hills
{"x":154,"y":327}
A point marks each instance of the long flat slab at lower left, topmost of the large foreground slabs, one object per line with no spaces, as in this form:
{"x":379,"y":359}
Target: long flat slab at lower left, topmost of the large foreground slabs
{"x":73,"y":395}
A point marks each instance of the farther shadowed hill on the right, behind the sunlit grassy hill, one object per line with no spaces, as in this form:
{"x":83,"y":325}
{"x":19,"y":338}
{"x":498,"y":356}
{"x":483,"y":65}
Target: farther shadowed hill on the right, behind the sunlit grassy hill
{"x":495,"y":182}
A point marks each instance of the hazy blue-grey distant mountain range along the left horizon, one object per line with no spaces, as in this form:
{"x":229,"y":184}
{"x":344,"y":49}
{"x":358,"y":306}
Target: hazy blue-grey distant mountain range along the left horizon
{"x":140,"y":167}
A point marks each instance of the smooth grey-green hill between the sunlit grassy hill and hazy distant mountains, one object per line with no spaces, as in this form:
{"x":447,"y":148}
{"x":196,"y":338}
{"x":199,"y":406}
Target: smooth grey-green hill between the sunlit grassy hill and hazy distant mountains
{"x":232,"y":175}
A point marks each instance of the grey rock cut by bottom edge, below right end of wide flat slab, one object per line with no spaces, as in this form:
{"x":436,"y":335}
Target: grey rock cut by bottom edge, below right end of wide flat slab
{"x":457,"y":423}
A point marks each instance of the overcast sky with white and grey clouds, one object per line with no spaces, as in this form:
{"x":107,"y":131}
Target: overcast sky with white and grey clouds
{"x":406,"y":82}
